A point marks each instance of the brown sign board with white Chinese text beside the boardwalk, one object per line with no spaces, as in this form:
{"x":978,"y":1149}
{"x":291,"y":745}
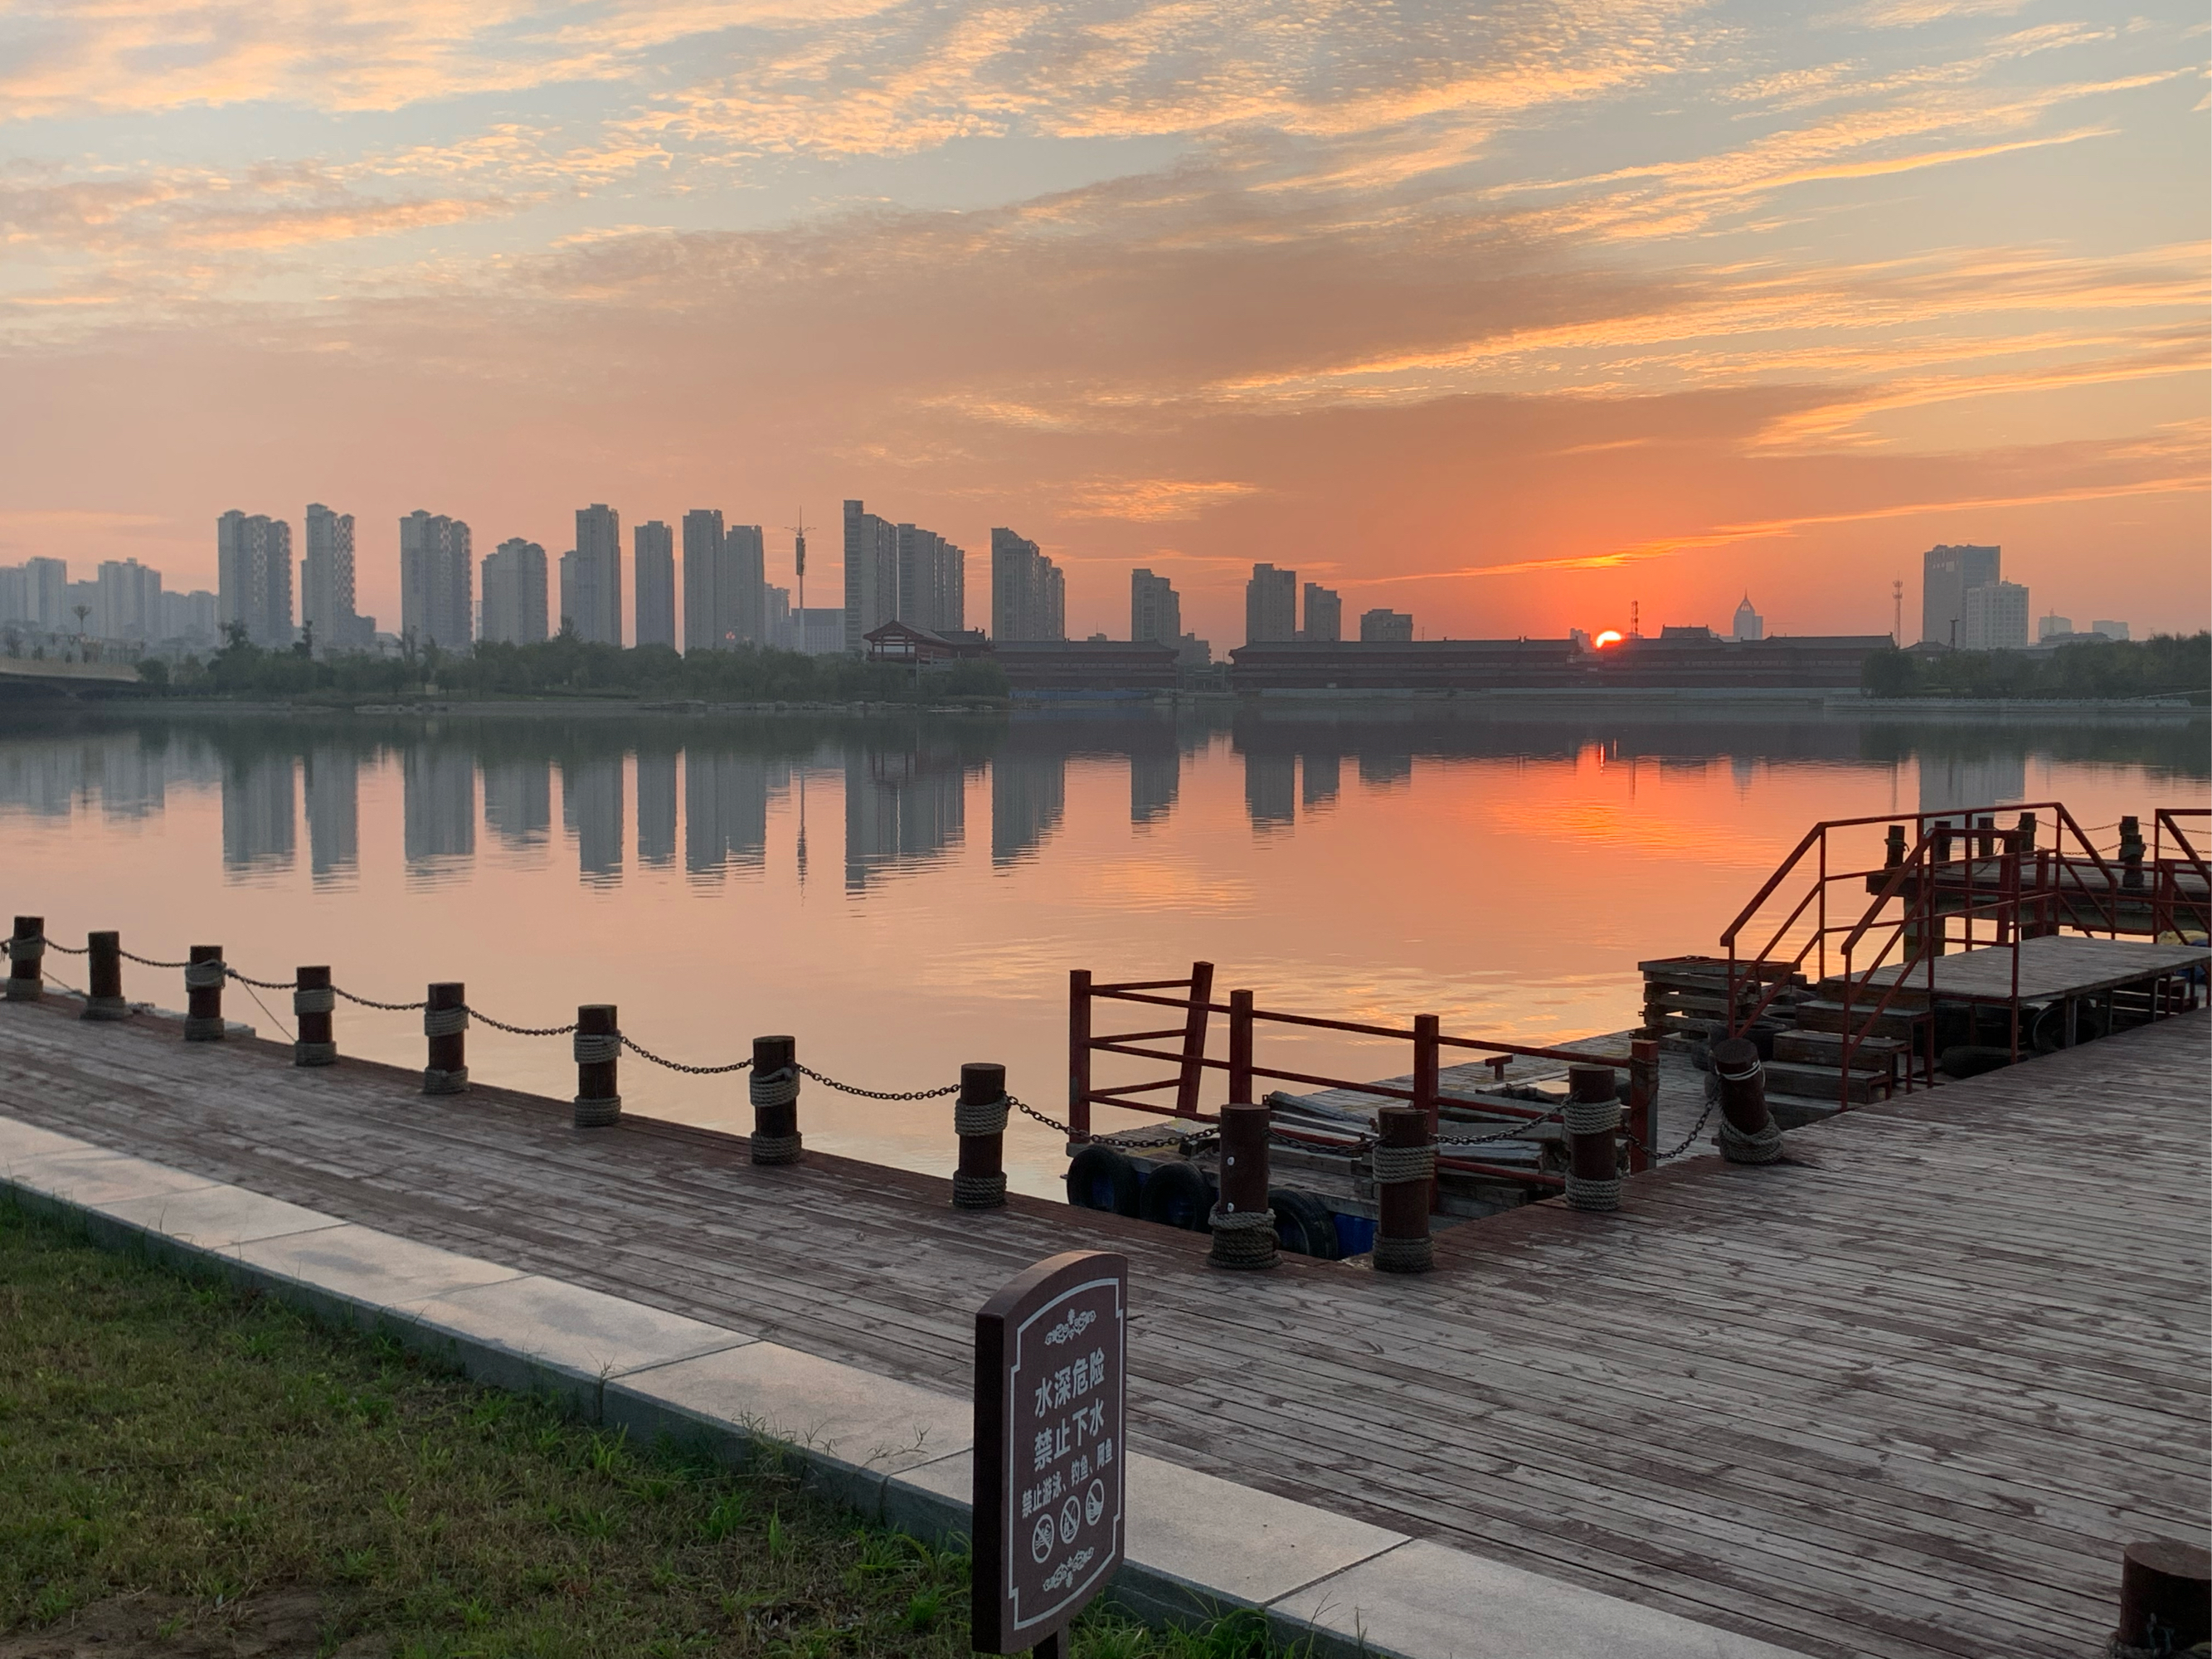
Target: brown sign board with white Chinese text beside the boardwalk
{"x":1052,"y":1384}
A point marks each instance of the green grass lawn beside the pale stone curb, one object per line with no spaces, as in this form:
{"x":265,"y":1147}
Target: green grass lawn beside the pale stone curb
{"x":196,"y":1470}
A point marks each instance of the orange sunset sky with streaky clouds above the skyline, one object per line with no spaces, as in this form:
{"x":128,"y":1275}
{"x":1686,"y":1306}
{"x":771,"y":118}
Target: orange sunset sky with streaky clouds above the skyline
{"x":1510,"y":317}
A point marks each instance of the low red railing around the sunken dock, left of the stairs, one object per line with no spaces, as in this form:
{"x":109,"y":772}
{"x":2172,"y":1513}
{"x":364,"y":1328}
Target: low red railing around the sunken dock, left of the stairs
{"x":1242,"y":1065}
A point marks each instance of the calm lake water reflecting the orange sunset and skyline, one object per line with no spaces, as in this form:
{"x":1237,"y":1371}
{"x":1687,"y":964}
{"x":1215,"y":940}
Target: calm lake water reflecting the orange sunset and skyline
{"x":910,"y":895}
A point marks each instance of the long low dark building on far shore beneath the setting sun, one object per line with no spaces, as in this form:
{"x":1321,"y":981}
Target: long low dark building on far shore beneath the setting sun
{"x":1813,"y":662}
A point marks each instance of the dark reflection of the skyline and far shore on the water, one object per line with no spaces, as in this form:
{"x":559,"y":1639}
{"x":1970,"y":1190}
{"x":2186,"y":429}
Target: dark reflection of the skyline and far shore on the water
{"x":711,"y":789}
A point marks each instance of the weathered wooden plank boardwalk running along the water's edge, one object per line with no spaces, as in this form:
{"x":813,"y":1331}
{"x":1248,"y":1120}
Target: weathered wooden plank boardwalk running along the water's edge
{"x":1906,"y":1395}
